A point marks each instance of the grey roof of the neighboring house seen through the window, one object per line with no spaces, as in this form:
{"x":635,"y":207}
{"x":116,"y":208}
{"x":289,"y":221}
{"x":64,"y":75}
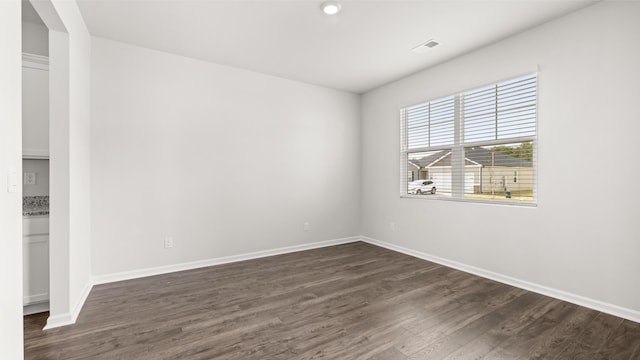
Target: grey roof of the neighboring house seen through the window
{"x":473,"y":156}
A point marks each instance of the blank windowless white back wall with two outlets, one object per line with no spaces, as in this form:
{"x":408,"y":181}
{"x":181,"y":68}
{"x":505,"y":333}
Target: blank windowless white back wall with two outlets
{"x":224,"y":161}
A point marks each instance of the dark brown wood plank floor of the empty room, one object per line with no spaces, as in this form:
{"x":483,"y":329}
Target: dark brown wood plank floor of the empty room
{"x":353,"y":301}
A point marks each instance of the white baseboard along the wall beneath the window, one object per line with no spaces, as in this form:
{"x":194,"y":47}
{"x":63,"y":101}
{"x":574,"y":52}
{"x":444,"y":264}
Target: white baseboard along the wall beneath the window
{"x":604,"y":307}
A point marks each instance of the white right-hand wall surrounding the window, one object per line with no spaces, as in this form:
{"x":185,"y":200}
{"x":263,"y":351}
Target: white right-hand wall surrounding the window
{"x":583,"y":236}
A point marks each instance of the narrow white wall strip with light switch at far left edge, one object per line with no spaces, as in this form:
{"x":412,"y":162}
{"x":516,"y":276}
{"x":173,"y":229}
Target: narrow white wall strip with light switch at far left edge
{"x":10,"y":202}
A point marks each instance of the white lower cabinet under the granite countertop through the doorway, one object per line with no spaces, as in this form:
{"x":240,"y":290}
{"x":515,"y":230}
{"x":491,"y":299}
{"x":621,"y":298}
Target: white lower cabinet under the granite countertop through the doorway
{"x":35,"y":249}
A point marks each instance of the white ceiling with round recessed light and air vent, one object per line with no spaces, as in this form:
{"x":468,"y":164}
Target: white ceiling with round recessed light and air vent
{"x":364,"y":46}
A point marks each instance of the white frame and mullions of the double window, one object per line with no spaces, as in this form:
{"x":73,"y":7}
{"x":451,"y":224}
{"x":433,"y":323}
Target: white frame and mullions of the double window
{"x":458,"y":148}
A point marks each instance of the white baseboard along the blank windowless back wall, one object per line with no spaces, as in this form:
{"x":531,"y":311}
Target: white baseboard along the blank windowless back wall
{"x":134,"y":274}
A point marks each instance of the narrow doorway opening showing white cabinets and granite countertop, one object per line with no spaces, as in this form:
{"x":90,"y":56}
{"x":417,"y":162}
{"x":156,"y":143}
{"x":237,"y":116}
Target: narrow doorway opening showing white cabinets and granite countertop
{"x":35,"y":163}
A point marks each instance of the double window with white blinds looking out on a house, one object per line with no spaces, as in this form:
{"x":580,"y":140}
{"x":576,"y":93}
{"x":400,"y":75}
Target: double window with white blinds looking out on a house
{"x":477,"y":145}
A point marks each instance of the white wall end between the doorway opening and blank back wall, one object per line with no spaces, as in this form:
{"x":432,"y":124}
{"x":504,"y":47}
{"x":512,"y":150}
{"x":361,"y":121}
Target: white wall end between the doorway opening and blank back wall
{"x":69,"y":75}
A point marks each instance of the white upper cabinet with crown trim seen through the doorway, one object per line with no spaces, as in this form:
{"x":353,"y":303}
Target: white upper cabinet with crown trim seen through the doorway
{"x":35,"y":106}
